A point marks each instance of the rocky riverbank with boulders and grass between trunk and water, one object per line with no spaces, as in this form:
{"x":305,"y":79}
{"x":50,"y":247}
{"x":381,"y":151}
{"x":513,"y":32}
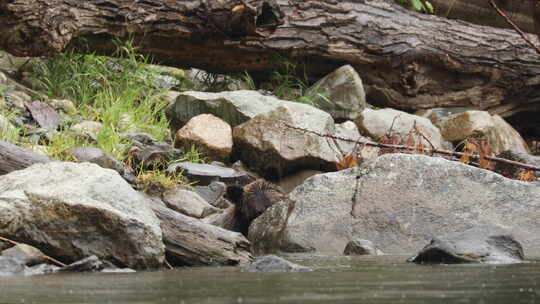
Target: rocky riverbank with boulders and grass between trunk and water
{"x":145,"y":167}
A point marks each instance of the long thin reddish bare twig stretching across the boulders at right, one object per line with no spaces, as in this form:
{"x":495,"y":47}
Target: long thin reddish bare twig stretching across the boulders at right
{"x":407,"y":148}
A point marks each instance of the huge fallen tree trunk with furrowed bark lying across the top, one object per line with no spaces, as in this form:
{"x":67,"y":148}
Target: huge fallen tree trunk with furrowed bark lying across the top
{"x":408,"y":60}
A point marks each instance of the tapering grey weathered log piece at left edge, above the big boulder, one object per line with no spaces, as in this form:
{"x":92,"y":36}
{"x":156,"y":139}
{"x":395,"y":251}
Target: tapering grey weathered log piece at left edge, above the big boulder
{"x":14,"y":158}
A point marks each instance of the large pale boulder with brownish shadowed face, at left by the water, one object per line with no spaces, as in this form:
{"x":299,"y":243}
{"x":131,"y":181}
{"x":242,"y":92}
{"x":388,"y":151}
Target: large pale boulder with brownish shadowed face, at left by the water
{"x":72,"y":211}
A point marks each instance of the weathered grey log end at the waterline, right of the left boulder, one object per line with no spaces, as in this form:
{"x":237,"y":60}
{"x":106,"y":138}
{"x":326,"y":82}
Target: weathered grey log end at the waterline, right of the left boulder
{"x":190,"y":242}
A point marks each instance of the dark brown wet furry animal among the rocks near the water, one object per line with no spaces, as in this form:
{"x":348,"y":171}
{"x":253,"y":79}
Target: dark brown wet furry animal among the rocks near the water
{"x":249,"y":202}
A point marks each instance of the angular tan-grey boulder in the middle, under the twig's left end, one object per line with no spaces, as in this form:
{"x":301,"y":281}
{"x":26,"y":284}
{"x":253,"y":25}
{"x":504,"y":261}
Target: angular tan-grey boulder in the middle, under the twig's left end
{"x":269,"y":145}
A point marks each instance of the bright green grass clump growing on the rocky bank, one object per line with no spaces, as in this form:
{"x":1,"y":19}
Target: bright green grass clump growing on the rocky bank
{"x":118,"y":92}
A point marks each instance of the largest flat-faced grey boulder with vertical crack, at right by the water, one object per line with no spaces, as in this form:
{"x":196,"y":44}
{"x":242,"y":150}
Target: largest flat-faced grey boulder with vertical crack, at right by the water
{"x":401,"y":201}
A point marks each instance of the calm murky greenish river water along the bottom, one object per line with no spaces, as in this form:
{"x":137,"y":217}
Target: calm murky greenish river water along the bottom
{"x":385,"y":279}
